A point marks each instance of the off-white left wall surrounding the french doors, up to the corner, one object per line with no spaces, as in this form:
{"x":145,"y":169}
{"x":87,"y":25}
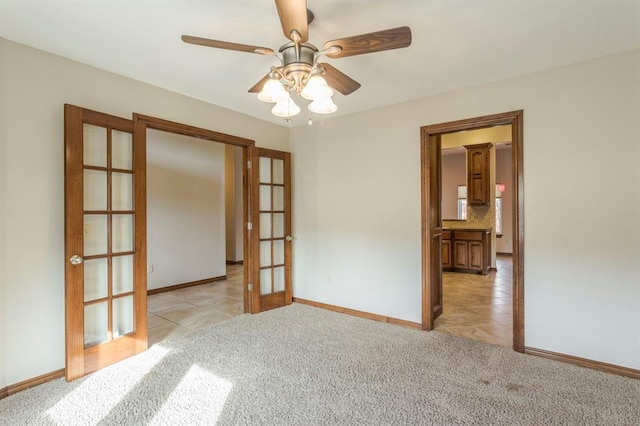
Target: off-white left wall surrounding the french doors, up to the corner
{"x":36,"y":86}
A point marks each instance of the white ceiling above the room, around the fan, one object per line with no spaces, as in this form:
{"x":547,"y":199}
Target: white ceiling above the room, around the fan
{"x":456,"y":43}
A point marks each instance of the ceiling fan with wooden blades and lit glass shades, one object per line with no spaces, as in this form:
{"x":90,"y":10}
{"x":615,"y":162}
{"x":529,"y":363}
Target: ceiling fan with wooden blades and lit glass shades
{"x":300,"y":72}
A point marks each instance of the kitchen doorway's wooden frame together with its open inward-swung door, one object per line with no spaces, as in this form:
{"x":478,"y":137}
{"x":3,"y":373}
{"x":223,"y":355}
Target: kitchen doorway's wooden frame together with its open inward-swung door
{"x":432,"y":220}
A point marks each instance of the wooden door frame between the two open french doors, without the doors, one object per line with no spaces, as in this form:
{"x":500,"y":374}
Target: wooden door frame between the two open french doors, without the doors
{"x":143,"y":122}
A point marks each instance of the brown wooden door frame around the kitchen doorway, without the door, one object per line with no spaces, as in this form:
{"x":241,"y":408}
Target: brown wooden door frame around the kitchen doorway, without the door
{"x":515,"y":119}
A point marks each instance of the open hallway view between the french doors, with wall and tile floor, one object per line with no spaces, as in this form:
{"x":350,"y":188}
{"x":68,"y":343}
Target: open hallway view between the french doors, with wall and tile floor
{"x":195,"y":234}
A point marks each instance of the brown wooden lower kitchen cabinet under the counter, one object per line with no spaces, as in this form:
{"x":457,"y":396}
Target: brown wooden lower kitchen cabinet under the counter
{"x":466,"y":250}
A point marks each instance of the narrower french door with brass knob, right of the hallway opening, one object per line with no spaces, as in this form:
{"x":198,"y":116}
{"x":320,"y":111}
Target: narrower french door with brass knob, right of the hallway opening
{"x":271,"y":230}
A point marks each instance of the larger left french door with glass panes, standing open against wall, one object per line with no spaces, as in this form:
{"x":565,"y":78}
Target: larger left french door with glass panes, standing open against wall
{"x":105,"y":247}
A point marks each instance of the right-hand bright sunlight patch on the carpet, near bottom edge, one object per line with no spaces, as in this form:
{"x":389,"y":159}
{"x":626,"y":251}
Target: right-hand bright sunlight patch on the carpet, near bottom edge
{"x":198,"y":388}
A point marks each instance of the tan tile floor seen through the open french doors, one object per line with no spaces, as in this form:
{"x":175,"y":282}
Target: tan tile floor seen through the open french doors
{"x":178,"y":312}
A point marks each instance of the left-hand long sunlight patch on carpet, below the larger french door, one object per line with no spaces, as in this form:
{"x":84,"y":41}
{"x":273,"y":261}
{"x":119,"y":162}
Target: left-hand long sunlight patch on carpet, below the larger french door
{"x":130,"y":372}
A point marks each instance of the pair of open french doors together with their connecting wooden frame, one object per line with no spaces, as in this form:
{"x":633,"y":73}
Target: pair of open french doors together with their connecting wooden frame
{"x":105,"y":233}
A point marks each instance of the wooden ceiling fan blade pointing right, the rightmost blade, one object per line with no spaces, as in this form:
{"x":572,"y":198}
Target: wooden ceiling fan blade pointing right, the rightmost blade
{"x":393,"y":38}
